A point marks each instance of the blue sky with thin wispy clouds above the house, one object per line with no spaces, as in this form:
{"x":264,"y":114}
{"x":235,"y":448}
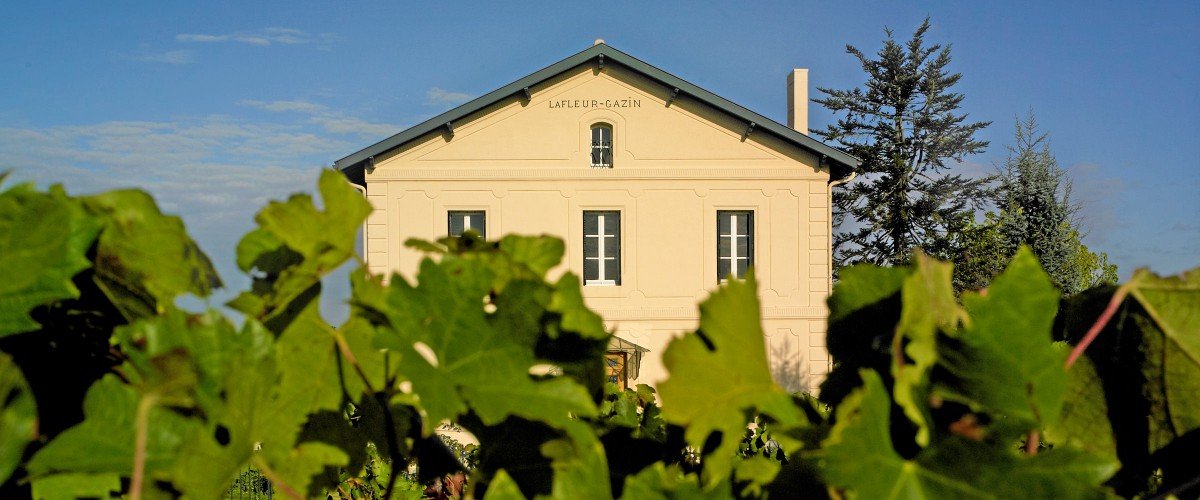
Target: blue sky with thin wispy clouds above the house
{"x":217,"y":110}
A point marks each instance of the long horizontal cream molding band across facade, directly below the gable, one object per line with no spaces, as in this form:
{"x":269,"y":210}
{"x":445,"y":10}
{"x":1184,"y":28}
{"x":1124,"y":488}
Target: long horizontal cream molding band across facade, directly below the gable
{"x":671,"y":173}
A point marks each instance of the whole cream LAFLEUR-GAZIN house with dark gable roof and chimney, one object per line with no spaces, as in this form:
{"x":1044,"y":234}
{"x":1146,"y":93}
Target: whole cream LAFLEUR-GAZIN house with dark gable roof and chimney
{"x":659,"y":189}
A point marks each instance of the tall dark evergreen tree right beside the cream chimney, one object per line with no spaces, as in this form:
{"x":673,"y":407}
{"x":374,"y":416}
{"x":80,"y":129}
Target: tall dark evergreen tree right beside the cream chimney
{"x":907,"y":128}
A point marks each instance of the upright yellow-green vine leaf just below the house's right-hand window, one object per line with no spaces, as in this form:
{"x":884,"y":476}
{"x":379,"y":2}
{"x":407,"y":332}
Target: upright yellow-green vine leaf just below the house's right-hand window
{"x":721,"y":377}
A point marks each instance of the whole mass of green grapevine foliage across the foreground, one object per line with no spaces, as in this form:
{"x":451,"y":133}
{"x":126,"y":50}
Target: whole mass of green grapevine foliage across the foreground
{"x":110,"y":389}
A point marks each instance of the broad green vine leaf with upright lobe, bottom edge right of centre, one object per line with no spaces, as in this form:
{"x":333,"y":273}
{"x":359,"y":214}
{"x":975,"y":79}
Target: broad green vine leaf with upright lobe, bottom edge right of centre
{"x":859,"y":456}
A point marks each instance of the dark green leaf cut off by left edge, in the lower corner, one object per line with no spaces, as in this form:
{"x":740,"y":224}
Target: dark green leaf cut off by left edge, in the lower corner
{"x":19,"y":417}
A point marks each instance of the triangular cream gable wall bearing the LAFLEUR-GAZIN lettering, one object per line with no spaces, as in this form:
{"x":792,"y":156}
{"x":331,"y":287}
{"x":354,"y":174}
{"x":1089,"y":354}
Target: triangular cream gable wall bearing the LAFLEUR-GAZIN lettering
{"x":553,"y":130}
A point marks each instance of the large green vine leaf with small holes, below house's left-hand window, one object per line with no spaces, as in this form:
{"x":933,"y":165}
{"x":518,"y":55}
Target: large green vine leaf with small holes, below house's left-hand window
{"x":457,"y":358}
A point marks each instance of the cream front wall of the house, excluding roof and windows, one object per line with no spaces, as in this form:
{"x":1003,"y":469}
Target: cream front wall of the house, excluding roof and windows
{"x":526,"y":164}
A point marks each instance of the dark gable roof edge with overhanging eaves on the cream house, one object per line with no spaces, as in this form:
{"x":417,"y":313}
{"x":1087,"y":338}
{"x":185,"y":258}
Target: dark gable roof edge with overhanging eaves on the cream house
{"x":841,"y":164}
